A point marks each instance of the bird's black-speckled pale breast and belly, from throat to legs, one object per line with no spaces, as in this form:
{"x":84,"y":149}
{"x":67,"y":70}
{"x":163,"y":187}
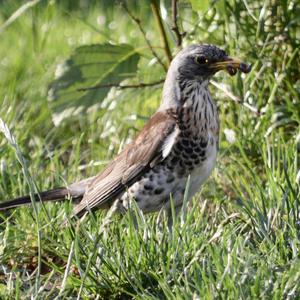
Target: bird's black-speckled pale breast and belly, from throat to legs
{"x":193,"y":153}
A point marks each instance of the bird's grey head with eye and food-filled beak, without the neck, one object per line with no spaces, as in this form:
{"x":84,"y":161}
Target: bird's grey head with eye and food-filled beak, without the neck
{"x":201,"y":62}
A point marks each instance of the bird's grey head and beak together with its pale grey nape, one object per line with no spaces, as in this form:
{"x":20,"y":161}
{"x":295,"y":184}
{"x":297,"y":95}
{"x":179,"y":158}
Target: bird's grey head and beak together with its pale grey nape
{"x":196,"y":64}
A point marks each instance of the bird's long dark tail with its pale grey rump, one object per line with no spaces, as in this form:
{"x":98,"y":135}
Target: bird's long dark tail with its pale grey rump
{"x":75,"y":191}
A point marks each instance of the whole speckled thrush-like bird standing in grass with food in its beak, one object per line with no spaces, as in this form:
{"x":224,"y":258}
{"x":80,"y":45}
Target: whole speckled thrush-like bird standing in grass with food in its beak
{"x":180,"y":141}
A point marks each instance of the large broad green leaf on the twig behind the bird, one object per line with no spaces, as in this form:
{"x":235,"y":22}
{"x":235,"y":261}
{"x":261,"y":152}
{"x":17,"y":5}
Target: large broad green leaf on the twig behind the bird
{"x":89,"y":66}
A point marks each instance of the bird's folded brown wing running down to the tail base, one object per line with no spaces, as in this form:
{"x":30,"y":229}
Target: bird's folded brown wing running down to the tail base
{"x":136,"y":159}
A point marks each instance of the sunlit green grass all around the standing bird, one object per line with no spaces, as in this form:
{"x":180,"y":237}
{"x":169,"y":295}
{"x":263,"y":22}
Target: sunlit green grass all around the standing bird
{"x":240,"y":238}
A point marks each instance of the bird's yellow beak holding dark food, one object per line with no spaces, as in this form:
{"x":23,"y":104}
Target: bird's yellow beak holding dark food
{"x":231,"y":65}
